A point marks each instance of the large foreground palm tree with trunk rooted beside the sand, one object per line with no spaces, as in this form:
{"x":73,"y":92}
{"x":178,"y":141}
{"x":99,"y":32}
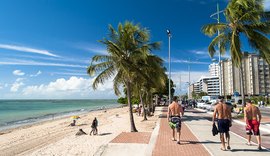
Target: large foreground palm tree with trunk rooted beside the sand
{"x":126,"y":46}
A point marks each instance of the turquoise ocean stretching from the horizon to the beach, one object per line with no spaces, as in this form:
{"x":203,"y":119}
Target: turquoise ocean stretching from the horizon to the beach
{"x":15,"y":113}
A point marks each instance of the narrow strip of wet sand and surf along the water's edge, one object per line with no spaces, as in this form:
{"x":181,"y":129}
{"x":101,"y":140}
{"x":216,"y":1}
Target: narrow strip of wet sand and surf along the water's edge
{"x":52,"y":117}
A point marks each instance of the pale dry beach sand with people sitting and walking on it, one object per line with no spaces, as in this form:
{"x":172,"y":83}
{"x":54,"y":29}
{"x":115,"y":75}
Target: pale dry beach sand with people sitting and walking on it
{"x":55,"y":137}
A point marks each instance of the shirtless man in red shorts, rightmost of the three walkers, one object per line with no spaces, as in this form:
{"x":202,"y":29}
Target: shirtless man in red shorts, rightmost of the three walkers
{"x":253,"y":118}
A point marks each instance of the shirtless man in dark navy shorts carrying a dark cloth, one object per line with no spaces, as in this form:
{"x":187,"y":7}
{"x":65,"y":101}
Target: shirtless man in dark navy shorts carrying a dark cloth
{"x":224,"y":117}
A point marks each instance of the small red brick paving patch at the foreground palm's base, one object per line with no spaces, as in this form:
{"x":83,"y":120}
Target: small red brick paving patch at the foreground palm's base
{"x":132,"y":137}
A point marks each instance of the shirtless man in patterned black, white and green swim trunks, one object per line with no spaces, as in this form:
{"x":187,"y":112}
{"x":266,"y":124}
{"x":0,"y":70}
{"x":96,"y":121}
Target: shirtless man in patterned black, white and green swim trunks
{"x":175,"y":112}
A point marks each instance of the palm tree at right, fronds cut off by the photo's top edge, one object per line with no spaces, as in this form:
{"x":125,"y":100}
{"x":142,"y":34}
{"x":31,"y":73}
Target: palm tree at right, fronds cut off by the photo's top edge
{"x":244,"y":18}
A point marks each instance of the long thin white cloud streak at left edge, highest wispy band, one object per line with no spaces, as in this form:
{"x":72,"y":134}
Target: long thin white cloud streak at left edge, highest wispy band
{"x":27,"y":49}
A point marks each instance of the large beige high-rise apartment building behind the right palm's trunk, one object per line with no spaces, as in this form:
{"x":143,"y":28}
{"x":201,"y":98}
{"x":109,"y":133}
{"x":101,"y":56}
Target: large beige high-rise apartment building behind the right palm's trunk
{"x":255,"y":76}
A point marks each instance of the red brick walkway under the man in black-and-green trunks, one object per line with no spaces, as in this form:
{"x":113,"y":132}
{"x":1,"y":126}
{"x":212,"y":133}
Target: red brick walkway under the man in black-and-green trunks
{"x":189,"y":146}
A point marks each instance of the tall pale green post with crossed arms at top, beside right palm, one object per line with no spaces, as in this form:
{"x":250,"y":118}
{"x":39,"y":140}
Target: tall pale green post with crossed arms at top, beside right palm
{"x":219,"y":57}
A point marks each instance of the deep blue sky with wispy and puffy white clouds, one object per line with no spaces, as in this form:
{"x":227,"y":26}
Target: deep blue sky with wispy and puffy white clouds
{"x":46,"y":45}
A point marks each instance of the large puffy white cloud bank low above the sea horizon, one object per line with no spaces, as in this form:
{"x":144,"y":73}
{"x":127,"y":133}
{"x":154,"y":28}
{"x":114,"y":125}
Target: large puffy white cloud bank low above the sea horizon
{"x":74,"y":87}
